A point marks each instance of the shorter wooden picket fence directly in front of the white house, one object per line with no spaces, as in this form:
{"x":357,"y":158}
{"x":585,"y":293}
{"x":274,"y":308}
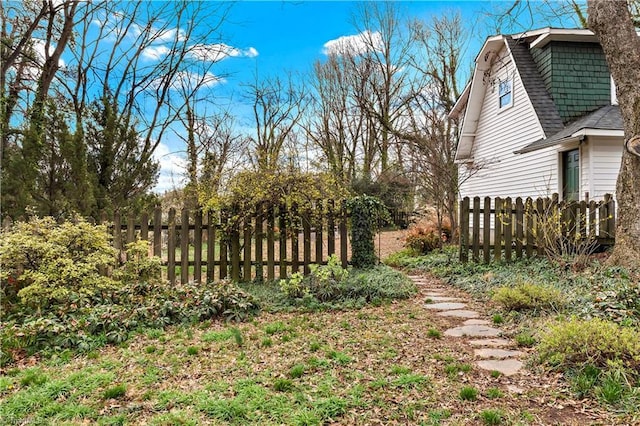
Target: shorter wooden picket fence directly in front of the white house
{"x":503,"y":228}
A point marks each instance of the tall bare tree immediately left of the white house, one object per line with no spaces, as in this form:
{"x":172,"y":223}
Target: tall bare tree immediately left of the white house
{"x":434,"y":134}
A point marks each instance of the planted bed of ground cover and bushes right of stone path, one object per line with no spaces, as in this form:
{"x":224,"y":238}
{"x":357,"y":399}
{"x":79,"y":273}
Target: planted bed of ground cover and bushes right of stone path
{"x":581,"y":322}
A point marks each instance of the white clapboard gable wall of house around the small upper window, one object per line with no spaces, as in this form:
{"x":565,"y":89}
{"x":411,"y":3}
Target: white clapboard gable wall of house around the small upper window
{"x":498,"y":135}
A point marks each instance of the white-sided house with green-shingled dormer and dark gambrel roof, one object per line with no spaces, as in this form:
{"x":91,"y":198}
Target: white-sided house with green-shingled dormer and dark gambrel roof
{"x":540,"y":116}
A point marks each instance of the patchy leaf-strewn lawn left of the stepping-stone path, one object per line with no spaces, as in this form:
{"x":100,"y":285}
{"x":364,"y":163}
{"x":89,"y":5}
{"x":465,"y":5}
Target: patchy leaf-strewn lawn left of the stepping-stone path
{"x":374,"y":365}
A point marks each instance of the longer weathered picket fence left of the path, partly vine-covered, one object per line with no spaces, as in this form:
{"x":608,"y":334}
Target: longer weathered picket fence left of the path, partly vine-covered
{"x":267,"y":242}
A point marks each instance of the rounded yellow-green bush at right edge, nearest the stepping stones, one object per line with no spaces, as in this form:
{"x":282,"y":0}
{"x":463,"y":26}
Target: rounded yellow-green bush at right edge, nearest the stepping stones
{"x":576,"y":343}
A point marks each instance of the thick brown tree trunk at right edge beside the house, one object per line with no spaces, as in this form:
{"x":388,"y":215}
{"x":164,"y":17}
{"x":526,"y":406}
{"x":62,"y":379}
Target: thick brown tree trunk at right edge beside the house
{"x":612,"y":23}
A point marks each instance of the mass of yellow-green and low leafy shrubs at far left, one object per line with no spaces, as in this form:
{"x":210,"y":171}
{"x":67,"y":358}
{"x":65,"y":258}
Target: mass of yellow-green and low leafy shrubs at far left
{"x":86,"y":308}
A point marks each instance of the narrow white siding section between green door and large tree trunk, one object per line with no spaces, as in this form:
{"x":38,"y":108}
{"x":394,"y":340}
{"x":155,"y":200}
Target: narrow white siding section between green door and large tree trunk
{"x":606,"y":158}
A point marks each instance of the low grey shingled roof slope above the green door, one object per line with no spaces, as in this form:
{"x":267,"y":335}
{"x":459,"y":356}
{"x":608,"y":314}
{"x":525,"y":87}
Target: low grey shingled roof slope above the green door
{"x":607,"y":118}
